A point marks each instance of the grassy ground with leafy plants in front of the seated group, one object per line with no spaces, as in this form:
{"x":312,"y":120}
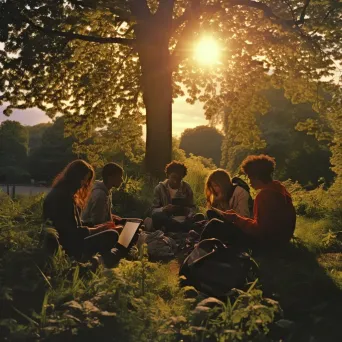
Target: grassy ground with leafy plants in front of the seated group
{"x":50,"y":299}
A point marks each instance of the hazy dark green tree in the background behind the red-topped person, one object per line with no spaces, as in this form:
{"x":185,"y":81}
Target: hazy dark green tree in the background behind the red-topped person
{"x":299,"y":156}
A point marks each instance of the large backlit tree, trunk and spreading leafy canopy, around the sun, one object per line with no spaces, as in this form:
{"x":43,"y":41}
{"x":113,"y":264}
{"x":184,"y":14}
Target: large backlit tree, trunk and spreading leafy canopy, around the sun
{"x":91,"y":60}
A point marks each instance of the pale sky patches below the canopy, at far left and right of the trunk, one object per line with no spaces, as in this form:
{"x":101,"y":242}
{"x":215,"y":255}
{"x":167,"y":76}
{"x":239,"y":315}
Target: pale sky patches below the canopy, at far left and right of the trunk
{"x":184,"y":116}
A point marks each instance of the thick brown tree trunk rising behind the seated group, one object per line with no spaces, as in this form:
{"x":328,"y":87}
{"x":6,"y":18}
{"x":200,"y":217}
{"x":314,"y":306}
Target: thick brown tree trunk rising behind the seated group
{"x":156,"y":81}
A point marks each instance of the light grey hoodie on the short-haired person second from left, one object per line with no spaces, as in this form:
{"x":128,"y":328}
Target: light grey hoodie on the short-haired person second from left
{"x":99,"y":207}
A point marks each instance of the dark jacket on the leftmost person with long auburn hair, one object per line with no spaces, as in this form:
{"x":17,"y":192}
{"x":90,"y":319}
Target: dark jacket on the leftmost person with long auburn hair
{"x":60,"y":208}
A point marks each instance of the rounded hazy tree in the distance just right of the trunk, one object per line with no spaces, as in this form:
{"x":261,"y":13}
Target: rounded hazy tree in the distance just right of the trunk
{"x":202,"y":141}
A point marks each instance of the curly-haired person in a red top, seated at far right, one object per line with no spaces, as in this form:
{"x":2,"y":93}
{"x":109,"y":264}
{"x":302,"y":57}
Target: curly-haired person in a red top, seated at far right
{"x":274,"y":218}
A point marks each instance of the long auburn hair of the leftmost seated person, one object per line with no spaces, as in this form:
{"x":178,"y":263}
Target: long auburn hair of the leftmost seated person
{"x":72,"y":180}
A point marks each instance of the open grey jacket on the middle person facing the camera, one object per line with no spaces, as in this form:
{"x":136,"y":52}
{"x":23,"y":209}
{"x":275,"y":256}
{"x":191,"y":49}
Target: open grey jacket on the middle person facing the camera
{"x":162,"y":196}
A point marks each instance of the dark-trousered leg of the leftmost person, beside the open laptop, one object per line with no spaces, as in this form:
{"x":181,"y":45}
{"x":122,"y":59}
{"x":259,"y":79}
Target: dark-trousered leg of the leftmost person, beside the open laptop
{"x":100,"y":243}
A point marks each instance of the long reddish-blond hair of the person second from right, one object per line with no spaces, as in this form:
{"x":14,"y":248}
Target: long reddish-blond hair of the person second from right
{"x":223,"y":180}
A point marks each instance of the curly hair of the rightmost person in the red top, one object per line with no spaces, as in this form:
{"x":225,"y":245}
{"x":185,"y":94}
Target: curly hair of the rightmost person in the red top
{"x":260,"y":167}
